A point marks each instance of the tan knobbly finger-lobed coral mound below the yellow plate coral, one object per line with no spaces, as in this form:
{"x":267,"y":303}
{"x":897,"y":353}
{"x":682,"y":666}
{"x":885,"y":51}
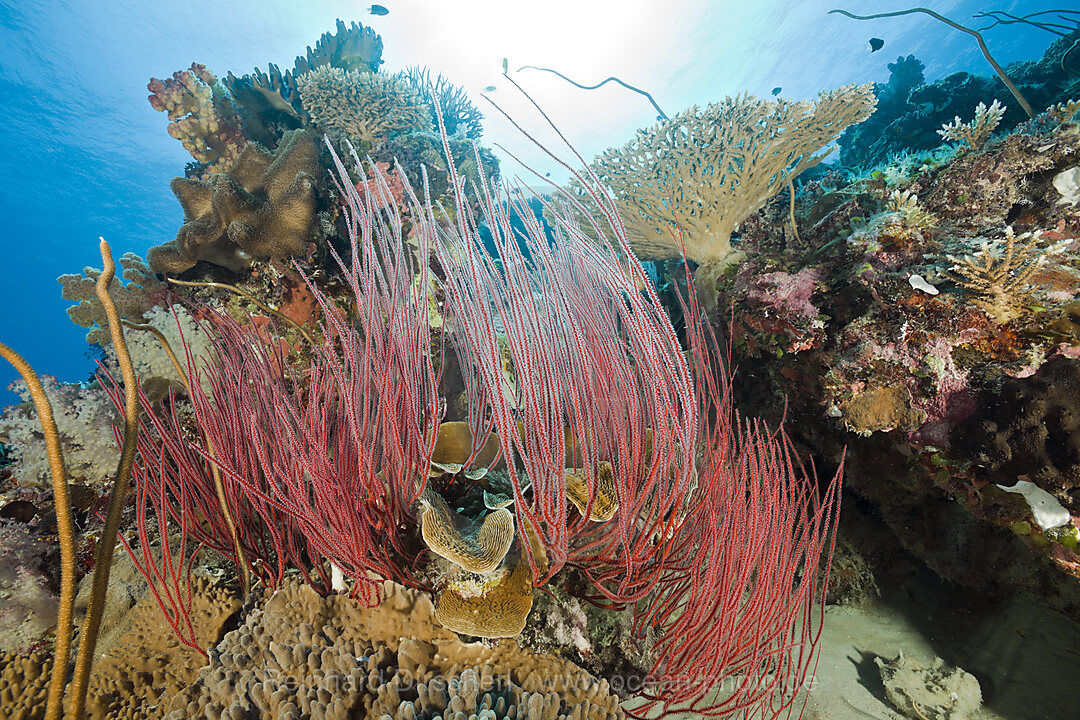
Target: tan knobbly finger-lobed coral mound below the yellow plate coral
{"x":333,"y":659}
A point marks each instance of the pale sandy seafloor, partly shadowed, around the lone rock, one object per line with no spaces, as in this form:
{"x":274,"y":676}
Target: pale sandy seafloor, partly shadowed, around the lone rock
{"x":1024,"y":656}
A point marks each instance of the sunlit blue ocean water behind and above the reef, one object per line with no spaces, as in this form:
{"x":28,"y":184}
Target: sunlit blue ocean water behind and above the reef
{"x":84,"y":155}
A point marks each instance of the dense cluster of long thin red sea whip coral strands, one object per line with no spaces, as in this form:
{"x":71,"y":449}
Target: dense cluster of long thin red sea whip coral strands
{"x":719,"y":533}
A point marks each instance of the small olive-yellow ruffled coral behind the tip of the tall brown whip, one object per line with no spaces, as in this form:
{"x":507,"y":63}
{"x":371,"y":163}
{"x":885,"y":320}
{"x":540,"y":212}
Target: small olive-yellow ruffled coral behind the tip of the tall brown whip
{"x":132,"y":301}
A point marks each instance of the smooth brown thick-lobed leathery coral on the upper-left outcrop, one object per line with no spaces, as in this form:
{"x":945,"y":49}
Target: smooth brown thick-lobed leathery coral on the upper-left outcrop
{"x":264,"y":208}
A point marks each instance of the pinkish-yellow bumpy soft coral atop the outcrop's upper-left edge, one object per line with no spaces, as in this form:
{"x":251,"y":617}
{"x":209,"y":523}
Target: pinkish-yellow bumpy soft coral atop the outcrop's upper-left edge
{"x":204,"y":116}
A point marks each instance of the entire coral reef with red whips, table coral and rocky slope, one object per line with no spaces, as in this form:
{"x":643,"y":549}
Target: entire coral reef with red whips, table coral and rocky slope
{"x":407,"y":443}
